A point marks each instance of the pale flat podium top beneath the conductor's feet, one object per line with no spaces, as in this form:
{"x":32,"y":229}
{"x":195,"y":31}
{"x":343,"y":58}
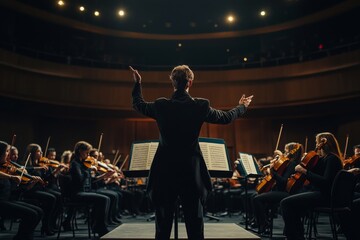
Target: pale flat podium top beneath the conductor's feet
{"x":145,"y":231}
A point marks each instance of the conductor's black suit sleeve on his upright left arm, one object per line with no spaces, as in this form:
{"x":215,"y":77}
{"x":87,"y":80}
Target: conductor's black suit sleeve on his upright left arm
{"x":139,"y":104}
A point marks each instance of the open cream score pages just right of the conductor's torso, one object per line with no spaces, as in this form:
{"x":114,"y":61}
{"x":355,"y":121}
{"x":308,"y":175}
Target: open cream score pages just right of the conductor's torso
{"x":215,"y":156}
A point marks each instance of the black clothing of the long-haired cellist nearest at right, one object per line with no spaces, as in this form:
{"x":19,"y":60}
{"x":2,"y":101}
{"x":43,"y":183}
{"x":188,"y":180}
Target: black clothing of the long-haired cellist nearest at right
{"x":317,"y":193}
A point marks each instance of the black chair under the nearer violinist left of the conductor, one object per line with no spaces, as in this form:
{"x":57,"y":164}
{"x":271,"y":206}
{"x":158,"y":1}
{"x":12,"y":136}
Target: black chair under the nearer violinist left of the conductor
{"x":73,"y":206}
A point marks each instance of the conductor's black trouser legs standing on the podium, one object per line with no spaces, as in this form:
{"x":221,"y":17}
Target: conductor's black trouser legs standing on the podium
{"x":193,"y":215}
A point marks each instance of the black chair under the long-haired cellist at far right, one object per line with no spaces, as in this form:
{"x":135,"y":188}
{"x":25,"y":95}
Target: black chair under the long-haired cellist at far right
{"x":341,"y":198}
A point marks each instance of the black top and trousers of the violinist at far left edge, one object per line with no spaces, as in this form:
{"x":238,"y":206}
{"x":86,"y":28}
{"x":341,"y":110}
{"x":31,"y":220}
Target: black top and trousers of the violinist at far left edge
{"x":29,"y":215}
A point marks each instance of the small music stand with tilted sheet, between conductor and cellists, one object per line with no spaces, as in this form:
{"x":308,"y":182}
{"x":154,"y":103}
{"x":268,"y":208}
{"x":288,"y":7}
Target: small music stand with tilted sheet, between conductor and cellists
{"x":247,"y":168}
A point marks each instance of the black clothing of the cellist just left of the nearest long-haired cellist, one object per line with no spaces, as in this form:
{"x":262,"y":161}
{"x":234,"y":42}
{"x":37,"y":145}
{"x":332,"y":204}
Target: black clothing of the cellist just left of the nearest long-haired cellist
{"x":270,"y":200}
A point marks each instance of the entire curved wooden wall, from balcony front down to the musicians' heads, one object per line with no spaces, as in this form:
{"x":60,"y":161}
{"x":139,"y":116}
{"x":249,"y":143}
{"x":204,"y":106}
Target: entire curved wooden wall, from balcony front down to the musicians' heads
{"x":306,"y":97}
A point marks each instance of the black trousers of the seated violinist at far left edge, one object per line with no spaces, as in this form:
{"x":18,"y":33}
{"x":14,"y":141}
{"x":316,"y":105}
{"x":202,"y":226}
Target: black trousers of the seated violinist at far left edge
{"x":29,"y":214}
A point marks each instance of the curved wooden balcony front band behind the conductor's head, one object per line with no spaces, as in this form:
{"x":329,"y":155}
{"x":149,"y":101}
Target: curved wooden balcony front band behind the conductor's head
{"x":316,"y":81}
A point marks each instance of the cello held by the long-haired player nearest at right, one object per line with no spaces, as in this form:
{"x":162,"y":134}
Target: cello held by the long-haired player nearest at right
{"x":309,"y":161}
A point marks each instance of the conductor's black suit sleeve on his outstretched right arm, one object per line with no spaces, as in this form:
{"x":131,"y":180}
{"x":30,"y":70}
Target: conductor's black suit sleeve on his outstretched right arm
{"x":224,"y":117}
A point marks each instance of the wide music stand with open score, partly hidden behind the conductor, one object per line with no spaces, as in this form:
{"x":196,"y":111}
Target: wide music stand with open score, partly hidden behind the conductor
{"x":214,"y":152}
